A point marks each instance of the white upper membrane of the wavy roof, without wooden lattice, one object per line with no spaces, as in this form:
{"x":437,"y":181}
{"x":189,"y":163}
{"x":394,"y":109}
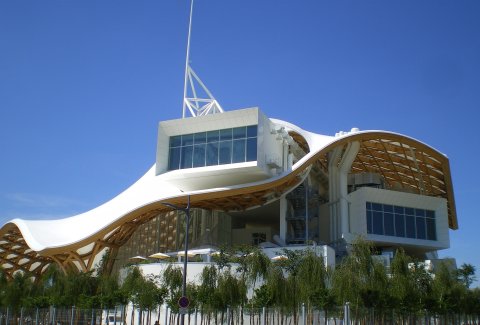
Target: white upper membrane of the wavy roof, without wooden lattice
{"x":40,"y":235}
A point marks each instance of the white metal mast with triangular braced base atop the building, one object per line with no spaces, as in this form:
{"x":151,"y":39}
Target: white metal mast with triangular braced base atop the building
{"x":196,"y":96}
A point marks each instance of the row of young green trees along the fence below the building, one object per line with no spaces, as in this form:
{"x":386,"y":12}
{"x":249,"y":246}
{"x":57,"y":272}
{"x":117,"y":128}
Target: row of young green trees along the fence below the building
{"x":245,"y":279}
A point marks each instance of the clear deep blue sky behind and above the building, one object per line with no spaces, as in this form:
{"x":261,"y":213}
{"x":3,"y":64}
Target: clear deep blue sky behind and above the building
{"x":83,"y":85}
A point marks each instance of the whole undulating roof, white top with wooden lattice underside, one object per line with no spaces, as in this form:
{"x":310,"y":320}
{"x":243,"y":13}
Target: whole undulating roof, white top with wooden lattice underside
{"x":405,"y":164}
